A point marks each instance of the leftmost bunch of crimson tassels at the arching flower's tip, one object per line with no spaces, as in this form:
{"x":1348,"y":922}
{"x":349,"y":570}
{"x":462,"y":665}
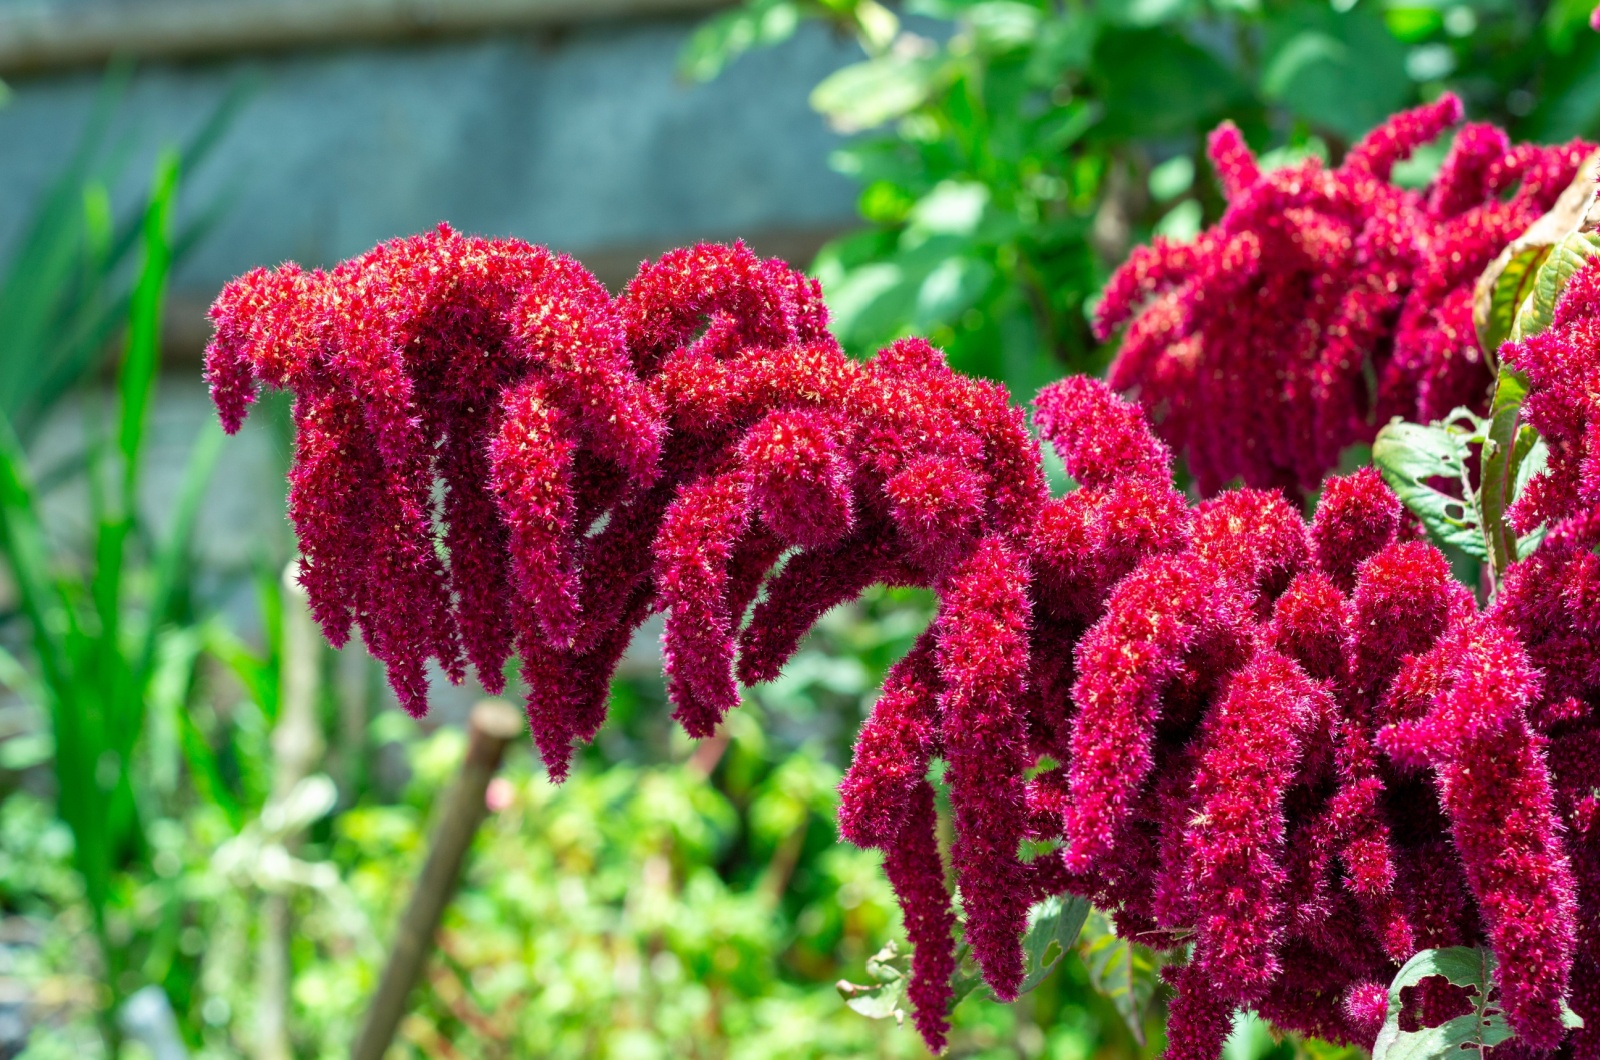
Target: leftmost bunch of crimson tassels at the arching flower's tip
{"x":494,"y":367}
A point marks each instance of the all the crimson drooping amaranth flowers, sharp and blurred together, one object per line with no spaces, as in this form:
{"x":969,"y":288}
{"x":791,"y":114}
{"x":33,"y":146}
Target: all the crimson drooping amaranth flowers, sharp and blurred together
{"x":1295,"y":755}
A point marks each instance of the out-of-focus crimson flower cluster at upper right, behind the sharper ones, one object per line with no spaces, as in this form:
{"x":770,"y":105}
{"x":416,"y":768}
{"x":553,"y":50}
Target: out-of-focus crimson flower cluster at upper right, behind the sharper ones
{"x":1324,"y":302}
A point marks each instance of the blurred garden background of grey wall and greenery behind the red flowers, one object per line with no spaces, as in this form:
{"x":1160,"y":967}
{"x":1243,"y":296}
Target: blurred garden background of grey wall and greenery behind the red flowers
{"x":210,"y":822}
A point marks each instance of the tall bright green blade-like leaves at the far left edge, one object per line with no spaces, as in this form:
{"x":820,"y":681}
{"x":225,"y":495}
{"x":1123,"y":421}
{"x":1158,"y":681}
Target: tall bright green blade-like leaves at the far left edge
{"x":97,"y":640}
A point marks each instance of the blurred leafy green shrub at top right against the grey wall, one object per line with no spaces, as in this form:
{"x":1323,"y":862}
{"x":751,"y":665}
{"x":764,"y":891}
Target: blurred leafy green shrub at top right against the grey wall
{"x":1012,"y":151}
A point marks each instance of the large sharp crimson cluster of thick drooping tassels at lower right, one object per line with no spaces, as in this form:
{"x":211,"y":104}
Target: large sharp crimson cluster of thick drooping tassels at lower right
{"x":1305,"y":752}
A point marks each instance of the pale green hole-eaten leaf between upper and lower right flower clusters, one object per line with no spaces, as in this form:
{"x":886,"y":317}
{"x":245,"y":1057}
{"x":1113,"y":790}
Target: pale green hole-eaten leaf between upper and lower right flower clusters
{"x":1410,"y":456}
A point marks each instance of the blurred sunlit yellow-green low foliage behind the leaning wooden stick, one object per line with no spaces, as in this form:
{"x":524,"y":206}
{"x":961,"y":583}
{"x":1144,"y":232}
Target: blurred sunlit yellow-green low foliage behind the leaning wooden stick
{"x":681,"y":901}
